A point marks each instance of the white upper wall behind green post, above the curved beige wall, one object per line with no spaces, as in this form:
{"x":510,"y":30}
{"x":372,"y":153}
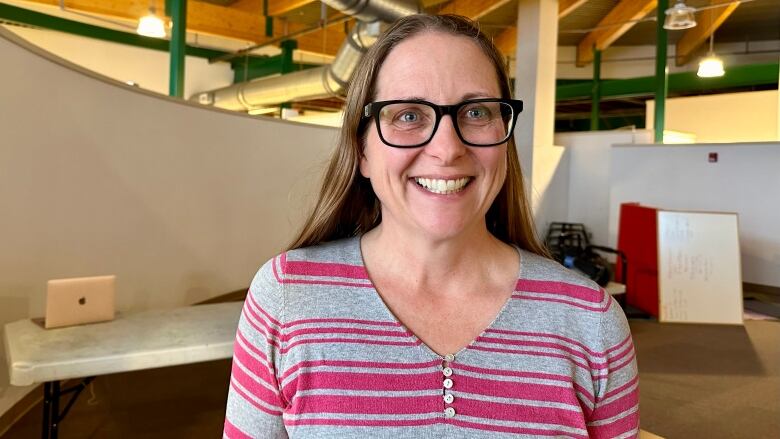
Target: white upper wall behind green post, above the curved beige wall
{"x":146,"y":67}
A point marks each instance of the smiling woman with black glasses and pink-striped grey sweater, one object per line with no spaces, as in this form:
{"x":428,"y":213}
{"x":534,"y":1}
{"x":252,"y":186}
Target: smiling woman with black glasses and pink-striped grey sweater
{"x":416,"y":301}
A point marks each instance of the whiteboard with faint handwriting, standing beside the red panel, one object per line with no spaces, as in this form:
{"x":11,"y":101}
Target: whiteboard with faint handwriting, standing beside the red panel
{"x":699,"y":271}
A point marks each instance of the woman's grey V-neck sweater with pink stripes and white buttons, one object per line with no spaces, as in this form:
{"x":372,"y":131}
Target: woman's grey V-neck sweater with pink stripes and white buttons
{"x":319,"y":355}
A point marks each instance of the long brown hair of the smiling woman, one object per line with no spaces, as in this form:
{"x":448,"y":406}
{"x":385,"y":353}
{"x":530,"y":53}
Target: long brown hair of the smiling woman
{"x":347,"y":205}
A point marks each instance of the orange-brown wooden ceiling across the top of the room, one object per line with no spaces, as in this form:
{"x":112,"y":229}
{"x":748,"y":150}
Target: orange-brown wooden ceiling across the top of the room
{"x":584,"y":23}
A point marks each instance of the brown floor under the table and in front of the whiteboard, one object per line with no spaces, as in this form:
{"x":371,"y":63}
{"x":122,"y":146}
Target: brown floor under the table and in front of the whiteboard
{"x":696,"y":381}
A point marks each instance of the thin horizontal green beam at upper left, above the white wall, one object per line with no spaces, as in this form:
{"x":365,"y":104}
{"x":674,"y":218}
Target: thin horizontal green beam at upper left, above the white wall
{"x":23,"y":16}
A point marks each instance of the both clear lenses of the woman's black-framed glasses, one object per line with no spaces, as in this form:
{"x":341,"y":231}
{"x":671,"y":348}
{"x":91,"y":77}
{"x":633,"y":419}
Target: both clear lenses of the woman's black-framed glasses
{"x":479,"y":123}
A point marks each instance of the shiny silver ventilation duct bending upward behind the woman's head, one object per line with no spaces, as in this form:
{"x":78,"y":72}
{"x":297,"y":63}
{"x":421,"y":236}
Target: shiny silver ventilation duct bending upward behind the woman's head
{"x":320,"y":82}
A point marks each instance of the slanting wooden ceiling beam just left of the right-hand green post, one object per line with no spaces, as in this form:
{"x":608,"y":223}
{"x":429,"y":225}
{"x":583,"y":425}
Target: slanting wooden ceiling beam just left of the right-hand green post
{"x":616,"y":23}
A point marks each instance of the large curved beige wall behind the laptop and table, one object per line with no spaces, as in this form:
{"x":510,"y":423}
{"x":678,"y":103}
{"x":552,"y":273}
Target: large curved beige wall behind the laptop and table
{"x":181,"y":202}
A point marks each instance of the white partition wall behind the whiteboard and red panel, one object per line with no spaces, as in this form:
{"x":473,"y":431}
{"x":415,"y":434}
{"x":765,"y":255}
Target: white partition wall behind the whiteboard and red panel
{"x":745,"y":180}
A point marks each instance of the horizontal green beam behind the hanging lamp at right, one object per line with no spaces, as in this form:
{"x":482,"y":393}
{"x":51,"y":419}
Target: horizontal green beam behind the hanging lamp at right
{"x":736,"y":76}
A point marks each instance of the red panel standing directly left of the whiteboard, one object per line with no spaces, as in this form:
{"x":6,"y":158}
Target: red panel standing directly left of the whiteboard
{"x":637,"y":238}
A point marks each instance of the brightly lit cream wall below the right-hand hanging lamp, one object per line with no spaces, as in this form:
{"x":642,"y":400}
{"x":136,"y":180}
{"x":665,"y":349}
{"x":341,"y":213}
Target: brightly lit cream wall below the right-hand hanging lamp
{"x":728,"y":117}
